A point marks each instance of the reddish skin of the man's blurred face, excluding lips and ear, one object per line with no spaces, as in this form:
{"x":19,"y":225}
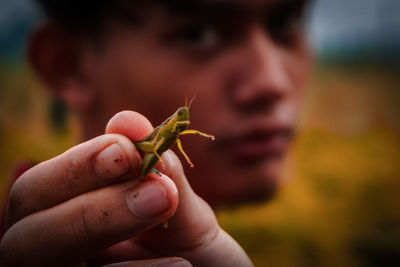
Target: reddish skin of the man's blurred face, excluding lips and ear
{"x":252,"y":70}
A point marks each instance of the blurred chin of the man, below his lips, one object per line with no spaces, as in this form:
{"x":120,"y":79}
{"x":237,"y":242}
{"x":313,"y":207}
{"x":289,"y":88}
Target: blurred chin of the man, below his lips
{"x":233,"y":184}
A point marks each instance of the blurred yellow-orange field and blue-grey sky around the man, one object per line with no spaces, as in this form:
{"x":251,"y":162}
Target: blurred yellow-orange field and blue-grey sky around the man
{"x":340,"y":205}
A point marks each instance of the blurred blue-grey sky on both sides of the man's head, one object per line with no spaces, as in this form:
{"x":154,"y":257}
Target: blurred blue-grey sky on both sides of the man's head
{"x":335,"y":25}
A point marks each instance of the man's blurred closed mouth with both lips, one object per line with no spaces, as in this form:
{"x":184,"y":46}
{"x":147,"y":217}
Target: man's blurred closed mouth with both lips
{"x":257,"y":144}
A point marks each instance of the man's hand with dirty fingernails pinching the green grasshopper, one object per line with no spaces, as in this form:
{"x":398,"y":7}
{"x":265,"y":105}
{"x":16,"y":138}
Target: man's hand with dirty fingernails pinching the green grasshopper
{"x":86,"y":206}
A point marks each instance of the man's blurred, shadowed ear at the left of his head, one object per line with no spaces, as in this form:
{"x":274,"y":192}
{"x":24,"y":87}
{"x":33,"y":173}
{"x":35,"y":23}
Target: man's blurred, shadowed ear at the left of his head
{"x":56,"y":56}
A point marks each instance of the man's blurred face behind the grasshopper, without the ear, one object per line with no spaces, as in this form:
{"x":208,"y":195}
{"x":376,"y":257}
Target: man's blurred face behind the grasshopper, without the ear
{"x":248,"y":63}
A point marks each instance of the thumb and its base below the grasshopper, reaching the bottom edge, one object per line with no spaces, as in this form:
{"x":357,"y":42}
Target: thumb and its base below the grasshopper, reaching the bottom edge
{"x":193,"y":231}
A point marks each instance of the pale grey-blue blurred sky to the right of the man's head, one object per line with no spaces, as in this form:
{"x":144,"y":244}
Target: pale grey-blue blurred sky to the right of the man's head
{"x":343,"y":23}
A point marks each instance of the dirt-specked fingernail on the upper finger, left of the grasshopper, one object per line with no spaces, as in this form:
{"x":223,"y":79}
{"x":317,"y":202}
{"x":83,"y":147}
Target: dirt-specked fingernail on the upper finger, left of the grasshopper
{"x":111,"y":162}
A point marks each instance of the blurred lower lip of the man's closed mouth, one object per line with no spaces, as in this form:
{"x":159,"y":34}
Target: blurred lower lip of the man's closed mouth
{"x":255,"y":150}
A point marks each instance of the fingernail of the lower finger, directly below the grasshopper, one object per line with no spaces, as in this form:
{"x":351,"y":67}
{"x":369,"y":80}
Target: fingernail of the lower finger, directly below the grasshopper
{"x":148,"y":200}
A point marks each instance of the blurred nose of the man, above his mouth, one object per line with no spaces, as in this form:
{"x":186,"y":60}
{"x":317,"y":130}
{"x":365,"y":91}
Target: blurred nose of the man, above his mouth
{"x":262,"y":79}
